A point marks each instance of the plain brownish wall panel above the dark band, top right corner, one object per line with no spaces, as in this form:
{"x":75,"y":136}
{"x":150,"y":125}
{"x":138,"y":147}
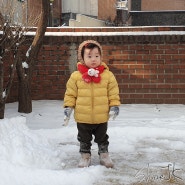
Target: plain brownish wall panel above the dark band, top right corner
{"x":154,"y":5}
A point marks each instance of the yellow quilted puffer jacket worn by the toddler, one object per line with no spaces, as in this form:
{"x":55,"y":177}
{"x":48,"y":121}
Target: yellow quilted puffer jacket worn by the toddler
{"x":92,"y":101}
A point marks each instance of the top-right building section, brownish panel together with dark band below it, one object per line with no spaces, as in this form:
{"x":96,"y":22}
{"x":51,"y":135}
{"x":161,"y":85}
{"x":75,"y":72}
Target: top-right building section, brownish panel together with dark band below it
{"x":156,"y":12}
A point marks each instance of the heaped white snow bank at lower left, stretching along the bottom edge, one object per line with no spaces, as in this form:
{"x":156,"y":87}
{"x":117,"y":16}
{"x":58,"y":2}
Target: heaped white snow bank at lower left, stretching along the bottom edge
{"x":28,"y":158}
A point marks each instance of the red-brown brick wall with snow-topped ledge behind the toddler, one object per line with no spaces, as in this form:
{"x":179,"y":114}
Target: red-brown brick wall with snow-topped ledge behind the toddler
{"x":148,"y":62}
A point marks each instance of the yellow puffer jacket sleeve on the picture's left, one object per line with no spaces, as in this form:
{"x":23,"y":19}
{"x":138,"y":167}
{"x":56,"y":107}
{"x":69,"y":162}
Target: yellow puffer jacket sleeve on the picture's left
{"x":71,"y":92}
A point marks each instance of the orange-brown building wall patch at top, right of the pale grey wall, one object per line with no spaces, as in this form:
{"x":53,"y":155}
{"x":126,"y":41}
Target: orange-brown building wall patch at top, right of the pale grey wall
{"x":107,"y":9}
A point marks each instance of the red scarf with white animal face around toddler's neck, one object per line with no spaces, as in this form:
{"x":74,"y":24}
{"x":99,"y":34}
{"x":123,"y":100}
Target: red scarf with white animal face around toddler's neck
{"x":91,"y":74}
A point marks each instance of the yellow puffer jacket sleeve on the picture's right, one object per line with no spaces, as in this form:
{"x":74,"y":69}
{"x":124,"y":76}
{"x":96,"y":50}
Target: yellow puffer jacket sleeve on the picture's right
{"x":113,"y":91}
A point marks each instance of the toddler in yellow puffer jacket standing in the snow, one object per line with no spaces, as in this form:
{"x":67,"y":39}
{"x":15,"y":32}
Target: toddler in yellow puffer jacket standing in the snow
{"x":92,"y":91}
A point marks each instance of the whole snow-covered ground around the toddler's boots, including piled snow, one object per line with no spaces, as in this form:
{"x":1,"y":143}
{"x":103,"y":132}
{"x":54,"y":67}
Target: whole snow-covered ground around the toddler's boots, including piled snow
{"x":147,"y":145}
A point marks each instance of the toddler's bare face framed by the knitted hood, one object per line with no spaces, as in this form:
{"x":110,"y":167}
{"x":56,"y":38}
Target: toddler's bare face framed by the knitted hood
{"x":92,"y":57}
